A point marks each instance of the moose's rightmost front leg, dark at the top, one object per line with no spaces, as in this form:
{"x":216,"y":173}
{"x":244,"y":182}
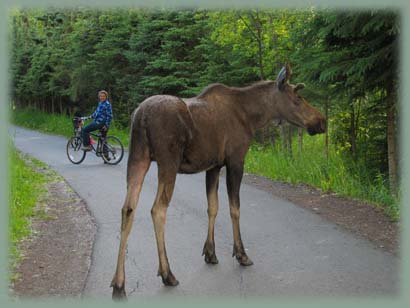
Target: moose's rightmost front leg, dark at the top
{"x":233,"y":183}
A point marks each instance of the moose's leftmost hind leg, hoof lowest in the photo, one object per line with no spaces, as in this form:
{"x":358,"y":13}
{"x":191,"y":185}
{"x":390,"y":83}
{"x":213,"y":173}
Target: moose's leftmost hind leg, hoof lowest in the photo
{"x":135,"y":180}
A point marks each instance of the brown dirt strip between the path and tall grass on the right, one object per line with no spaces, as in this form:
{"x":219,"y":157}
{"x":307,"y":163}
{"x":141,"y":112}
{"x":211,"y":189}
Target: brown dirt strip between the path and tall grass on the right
{"x":355,"y":216}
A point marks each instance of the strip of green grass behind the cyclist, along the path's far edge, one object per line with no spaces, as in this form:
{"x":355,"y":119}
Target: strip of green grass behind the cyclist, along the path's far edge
{"x":57,"y":124}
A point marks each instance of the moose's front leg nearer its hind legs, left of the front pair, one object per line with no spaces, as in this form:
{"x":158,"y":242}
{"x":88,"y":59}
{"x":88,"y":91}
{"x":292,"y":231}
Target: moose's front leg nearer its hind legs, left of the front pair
{"x":212,"y":182}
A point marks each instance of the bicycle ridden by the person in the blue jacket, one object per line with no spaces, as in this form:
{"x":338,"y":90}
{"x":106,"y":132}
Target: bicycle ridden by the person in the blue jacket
{"x":109,"y":148}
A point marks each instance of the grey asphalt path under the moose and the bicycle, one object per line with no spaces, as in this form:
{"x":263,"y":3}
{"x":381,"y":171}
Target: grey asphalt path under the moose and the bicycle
{"x":295,"y":252}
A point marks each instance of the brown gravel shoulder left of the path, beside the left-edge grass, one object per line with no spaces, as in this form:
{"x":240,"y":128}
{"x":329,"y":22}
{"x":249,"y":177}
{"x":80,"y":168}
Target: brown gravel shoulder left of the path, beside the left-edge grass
{"x":57,"y":257}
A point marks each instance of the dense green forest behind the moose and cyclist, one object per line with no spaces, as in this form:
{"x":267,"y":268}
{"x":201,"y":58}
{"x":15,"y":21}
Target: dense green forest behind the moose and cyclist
{"x":348,"y":60}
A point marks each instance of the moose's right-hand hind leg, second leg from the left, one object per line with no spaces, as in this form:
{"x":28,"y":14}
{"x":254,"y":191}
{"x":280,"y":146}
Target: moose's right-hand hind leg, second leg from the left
{"x":166,"y":182}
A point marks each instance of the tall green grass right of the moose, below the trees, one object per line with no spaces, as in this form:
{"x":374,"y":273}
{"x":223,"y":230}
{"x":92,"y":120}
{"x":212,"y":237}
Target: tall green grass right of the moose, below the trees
{"x":337,"y":174}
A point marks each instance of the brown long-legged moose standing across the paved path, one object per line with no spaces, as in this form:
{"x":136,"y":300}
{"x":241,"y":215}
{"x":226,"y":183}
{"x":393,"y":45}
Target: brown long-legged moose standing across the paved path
{"x":203,"y":133}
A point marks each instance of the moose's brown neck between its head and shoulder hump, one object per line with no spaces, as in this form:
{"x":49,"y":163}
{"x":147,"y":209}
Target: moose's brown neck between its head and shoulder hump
{"x":258,"y":104}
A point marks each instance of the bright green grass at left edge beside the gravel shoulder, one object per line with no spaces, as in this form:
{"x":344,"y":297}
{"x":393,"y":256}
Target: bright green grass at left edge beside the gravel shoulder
{"x":26,"y":189}
